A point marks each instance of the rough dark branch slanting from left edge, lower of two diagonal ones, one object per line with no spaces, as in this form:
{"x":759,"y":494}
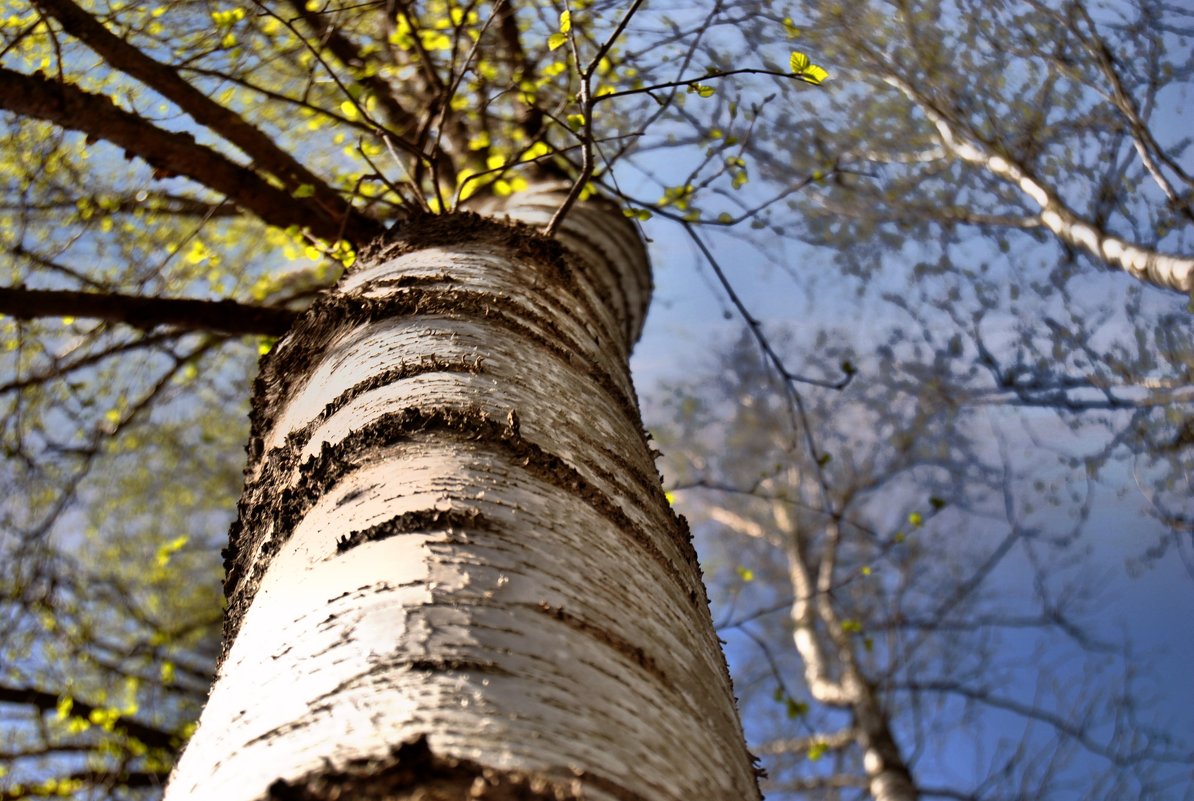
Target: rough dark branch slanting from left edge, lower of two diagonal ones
{"x":174,"y":153}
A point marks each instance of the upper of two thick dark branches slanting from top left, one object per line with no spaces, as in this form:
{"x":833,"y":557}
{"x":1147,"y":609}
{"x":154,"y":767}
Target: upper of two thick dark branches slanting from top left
{"x":225,"y":122}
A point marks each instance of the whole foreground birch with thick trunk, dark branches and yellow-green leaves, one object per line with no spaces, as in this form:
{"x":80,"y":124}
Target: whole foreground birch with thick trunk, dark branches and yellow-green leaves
{"x":454,"y":571}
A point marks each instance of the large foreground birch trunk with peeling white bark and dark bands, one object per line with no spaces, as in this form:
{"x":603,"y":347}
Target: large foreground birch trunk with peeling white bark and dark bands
{"x":456,"y":575}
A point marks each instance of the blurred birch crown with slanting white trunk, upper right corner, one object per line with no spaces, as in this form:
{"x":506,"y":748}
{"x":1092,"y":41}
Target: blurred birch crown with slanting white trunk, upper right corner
{"x":1020,"y":120}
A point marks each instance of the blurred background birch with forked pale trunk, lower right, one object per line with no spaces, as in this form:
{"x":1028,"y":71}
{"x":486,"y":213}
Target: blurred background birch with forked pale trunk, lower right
{"x":883,"y":627}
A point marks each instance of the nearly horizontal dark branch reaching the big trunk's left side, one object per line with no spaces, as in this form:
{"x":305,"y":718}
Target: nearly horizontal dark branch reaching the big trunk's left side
{"x":223,"y":317}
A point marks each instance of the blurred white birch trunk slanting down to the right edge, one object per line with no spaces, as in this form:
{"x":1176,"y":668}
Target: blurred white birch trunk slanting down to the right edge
{"x":1146,"y":264}
